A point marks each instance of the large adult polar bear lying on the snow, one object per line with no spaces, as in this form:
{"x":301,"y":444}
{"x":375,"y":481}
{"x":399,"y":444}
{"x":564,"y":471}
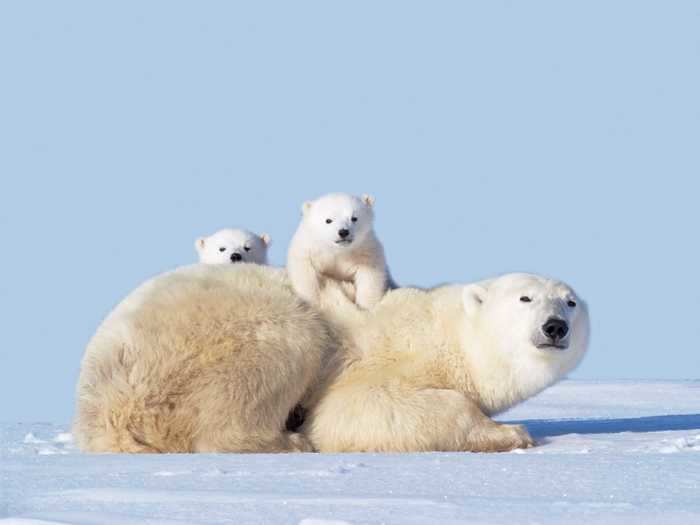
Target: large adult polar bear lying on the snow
{"x":213,"y":358}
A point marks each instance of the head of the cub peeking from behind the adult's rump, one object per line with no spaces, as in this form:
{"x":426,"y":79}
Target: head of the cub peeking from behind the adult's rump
{"x":232,"y":246}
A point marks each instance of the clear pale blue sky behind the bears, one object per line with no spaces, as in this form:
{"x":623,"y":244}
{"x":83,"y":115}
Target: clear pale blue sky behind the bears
{"x":561,"y":138}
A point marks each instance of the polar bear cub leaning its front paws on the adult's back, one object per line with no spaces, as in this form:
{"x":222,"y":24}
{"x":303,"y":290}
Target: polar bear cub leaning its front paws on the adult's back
{"x":336,"y":240}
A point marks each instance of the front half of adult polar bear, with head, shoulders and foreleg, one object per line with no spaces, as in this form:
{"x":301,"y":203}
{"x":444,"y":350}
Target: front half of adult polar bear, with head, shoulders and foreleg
{"x":425,"y":369}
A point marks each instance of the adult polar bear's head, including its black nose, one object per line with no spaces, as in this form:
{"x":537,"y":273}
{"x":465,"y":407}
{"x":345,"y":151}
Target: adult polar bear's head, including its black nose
{"x":535,"y":327}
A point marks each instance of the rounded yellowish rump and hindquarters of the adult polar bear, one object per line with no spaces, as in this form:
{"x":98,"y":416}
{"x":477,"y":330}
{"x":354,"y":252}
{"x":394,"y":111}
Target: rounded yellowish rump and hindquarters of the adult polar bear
{"x":207,"y":358}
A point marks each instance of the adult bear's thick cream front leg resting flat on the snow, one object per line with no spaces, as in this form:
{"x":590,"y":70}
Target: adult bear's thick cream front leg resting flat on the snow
{"x":363,"y":417}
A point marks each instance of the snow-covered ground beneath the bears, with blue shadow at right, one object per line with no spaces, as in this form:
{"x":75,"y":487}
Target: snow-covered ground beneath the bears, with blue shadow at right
{"x":617,"y":452}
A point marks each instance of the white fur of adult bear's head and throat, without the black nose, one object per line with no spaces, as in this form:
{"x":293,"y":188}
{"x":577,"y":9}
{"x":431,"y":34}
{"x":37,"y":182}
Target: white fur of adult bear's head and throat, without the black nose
{"x":500,"y":329}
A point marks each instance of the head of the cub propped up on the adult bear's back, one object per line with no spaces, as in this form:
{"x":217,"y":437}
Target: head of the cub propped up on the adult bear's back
{"x":339,"y":220}
